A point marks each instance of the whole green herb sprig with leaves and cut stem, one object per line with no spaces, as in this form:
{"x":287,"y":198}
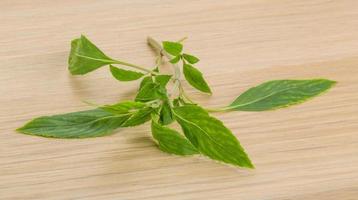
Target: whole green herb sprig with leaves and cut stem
{"x":201,"y":133}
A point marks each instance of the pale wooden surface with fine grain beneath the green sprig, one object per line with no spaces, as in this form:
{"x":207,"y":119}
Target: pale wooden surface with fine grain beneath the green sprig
{"x":309,"y":151}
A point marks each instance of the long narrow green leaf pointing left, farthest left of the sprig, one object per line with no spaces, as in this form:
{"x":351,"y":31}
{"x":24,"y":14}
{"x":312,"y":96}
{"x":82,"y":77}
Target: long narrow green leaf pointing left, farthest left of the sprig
{"x":83,"y":124}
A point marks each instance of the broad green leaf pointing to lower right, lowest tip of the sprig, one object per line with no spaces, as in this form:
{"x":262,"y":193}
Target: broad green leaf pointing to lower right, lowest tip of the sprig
{"x":210,"y":136}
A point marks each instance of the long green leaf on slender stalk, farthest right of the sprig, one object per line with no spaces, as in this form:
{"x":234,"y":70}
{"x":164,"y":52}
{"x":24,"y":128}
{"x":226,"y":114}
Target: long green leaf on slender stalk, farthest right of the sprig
{"x":280,"y":93}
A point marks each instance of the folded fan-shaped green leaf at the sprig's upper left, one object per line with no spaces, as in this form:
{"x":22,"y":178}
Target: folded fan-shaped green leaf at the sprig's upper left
{"x":85,"y":57}
